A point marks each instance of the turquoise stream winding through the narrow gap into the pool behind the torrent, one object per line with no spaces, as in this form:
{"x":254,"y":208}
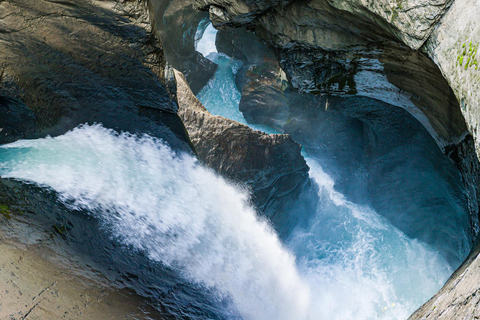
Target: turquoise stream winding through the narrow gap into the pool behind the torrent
{"x":358,"y":265}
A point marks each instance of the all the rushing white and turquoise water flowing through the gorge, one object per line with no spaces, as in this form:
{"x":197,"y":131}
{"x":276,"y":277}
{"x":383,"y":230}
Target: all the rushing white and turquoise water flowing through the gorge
{"x":347,"y":262}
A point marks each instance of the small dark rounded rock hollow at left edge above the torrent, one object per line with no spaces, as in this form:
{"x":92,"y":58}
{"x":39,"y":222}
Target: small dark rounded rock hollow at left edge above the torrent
{"x":16,"y":120}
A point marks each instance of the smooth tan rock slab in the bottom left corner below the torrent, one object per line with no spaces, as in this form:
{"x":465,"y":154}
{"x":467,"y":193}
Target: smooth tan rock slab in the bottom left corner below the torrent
{"x":37,"y":281}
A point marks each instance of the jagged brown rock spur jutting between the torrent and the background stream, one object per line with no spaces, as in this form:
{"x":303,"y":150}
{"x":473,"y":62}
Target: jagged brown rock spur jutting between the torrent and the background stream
{"x":270,"y":164}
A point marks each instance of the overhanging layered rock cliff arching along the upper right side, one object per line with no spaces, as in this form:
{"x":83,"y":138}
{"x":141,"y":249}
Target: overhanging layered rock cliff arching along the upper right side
{"x":420,"y":56}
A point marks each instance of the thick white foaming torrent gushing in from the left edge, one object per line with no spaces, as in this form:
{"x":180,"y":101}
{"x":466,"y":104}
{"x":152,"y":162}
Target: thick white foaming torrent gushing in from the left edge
{"x":180,"y":213}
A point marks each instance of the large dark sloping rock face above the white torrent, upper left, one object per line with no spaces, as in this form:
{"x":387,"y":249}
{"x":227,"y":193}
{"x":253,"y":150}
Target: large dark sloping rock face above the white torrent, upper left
{"x":74,"y":62}
